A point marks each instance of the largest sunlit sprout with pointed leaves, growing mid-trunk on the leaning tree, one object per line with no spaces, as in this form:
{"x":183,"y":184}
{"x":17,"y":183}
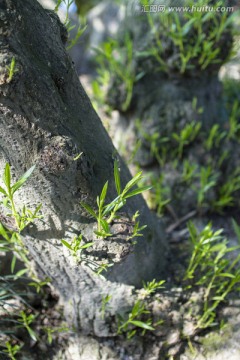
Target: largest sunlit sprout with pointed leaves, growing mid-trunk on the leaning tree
{"x":107,"y":213}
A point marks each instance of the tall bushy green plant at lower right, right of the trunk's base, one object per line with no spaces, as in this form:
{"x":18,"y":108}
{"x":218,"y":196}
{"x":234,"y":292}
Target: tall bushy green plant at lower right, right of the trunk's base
{"x":209,"y":267}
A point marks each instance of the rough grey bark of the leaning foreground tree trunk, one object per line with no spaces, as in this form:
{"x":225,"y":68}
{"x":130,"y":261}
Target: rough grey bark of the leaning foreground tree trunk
{"x":47,"y":119}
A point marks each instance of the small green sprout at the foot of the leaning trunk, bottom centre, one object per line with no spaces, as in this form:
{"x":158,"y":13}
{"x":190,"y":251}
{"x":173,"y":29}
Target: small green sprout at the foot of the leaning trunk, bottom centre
{"x":129,"y":326}
